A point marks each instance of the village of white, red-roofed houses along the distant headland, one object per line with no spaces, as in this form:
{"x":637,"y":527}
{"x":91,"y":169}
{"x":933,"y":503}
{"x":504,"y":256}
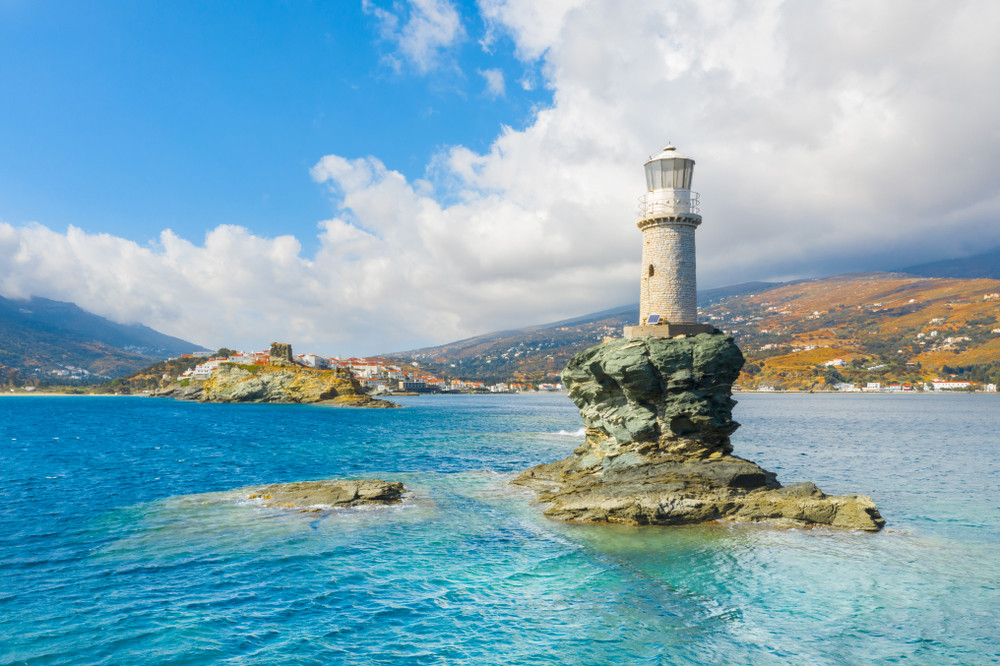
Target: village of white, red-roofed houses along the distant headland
{"x":376,"y":376}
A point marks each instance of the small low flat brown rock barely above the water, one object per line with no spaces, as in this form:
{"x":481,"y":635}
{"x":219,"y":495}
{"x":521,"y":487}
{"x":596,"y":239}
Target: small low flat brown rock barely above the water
{"x":314,"y":496}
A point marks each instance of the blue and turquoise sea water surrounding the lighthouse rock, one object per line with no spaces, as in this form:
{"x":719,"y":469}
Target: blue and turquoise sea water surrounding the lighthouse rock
{"x":119,"y":543}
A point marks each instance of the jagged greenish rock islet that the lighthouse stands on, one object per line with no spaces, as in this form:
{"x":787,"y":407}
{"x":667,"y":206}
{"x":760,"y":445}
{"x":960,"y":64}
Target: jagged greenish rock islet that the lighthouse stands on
{"x":658,"y":417}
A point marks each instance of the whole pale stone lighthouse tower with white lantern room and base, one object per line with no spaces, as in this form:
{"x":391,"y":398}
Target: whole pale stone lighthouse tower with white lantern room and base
{"x":668,"y":217}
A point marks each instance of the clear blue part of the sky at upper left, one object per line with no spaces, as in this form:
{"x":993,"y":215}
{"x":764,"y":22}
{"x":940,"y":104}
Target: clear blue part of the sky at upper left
{"x":128,"y":118}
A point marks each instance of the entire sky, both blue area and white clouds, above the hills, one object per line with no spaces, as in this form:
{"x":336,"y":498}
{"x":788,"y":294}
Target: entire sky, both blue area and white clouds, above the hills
{"x":368,"y":176}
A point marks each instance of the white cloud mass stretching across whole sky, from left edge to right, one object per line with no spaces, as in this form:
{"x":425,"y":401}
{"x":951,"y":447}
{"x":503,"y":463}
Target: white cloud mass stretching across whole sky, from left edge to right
{"x":829,"y":137}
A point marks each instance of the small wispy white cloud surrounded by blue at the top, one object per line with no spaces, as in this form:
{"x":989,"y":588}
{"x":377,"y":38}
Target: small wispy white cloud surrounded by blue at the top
{"x":422,"y":31}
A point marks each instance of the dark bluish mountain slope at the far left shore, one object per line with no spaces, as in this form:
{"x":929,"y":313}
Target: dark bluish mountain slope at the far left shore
{"x":44,"y":341}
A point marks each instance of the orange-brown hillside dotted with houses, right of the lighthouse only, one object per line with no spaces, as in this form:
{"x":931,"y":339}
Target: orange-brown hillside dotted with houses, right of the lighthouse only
{"x":885,"y":327}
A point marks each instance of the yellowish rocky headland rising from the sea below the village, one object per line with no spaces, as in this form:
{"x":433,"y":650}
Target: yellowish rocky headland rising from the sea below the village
{"x":277,"y":384}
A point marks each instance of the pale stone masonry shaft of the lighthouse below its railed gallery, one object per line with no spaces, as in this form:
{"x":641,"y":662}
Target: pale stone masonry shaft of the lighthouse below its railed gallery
{"x":671,"y":290}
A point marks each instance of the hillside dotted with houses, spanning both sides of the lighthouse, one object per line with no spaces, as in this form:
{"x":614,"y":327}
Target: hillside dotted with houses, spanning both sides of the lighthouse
{"x":885,"y":326}
